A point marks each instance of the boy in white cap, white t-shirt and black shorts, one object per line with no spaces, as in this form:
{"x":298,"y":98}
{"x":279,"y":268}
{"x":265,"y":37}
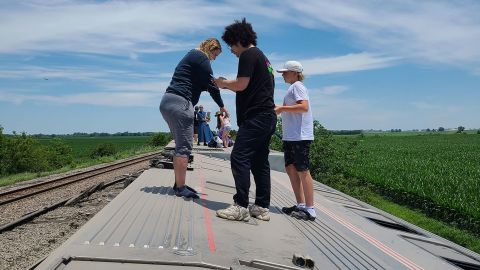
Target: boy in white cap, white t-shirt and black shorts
{"x":297,"y":128}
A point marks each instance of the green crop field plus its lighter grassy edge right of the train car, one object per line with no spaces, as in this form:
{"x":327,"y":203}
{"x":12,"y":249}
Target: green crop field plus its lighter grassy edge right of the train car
{"x":431,"y":180}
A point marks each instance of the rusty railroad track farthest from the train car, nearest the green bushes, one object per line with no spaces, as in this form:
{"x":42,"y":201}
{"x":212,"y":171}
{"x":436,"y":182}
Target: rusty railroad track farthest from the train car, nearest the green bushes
{"x":32,"y":190}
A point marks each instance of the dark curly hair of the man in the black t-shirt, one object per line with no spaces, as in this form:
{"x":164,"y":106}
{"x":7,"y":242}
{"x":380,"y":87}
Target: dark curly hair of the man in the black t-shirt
{"x":240,"y":32}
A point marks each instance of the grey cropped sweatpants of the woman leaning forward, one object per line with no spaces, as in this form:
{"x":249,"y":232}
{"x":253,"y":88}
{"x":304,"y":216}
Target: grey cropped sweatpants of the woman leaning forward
{"x":178,"y":113}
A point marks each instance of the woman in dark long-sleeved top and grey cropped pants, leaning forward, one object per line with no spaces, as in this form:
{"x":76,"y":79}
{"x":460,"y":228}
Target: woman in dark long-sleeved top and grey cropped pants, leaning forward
{"x":192,"y":76}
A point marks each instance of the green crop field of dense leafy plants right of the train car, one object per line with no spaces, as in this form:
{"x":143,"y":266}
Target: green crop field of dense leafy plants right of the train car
{"x":441,"y":168}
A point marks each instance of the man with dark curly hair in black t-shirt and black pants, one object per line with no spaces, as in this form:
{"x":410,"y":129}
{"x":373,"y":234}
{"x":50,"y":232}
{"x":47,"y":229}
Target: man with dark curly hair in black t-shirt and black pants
{"x":256,"y":119}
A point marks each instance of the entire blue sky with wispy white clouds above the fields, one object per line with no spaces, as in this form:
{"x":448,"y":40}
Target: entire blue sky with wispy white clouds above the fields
{"x":103,"y":66}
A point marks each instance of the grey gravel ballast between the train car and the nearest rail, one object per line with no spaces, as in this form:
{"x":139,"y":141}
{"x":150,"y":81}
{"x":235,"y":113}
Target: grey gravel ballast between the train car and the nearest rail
{"x":23,"y":246}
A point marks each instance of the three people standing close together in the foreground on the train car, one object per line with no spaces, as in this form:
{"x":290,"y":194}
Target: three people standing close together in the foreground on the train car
{"x":256,"y":118}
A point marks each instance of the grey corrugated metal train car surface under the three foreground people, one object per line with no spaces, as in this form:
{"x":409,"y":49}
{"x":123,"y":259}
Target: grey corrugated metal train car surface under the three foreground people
{"x":147,"y":227}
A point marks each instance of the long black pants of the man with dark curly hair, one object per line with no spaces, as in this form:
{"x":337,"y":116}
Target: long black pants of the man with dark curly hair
{"x":250,"y":152}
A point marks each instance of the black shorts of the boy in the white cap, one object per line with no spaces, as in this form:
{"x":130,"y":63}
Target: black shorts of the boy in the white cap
{"x":297,"y":153}
